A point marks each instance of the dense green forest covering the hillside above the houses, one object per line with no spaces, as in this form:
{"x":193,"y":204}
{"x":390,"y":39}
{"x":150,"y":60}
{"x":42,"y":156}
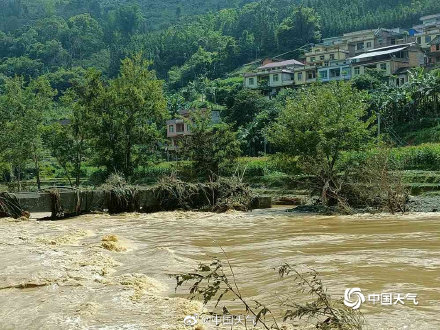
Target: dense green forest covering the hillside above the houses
{"x":183,"y":39}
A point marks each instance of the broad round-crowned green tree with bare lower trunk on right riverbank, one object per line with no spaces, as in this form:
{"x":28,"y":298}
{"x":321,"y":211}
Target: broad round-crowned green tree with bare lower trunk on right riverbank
{"x":318,"y":125}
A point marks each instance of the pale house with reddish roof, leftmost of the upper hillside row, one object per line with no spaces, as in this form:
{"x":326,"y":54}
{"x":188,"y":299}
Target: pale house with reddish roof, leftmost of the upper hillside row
{"x":272,"y":75}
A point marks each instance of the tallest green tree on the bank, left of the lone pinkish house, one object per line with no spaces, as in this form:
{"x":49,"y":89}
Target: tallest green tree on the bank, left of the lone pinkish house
{"x":128,"y":114}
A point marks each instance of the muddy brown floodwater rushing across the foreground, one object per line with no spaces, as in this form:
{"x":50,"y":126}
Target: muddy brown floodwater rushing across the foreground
{"x":111,"y":272}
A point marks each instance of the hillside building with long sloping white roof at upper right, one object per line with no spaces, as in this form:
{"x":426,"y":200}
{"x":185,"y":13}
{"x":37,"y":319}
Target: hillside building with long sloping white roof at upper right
{"x":391,"y":60}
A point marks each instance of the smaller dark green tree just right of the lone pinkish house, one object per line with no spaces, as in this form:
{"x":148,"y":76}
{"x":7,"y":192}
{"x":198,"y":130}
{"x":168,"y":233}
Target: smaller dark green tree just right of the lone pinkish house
{"x":213,"y":148}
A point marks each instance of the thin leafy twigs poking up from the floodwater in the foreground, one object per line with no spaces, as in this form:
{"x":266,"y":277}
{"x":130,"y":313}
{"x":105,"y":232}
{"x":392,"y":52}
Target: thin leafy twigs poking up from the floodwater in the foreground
{"x":217,"y":283}
